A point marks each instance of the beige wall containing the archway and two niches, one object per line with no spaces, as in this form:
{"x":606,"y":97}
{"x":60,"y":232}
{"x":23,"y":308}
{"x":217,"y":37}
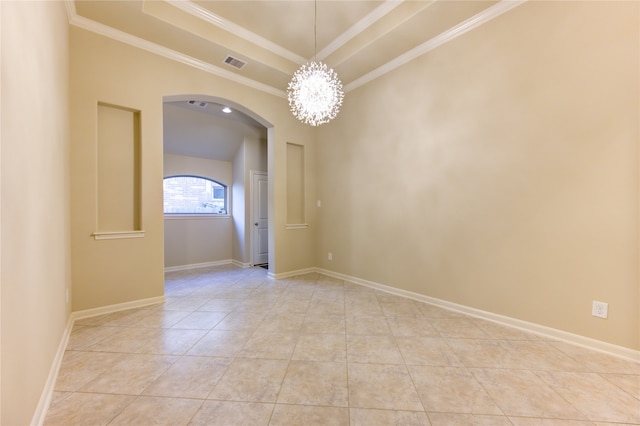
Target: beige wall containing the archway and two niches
{"x":102,"y":70}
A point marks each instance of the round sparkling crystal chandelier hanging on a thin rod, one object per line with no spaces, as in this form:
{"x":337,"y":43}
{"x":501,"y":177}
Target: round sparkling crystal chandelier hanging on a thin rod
{"x":315,"y":92}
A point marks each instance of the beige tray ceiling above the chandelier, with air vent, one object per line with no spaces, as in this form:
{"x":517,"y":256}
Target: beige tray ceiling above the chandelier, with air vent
{"x":360,"y":39}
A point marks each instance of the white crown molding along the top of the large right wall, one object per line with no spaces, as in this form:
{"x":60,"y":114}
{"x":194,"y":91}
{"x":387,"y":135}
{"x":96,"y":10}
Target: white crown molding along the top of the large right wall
{"x":474,"y":22}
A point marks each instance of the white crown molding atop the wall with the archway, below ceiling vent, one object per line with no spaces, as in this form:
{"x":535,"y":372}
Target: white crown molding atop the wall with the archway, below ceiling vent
{"x":104,"y":30}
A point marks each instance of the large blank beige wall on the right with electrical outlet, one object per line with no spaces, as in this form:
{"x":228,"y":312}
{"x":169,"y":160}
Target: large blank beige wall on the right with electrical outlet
{"x":499,"y":171}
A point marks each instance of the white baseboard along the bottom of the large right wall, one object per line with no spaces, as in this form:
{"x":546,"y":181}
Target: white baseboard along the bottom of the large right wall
{"x":575,"y":339}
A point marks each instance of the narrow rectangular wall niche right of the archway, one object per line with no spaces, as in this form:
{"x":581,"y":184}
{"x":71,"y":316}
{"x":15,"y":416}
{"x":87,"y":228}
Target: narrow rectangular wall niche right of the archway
{"x":295,"y":184}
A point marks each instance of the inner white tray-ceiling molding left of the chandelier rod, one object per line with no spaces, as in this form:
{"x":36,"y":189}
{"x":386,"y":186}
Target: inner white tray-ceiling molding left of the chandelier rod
{"x":198,"y":11}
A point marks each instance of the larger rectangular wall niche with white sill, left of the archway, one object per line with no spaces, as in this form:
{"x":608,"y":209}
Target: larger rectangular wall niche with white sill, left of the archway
{"x":119,"y":196}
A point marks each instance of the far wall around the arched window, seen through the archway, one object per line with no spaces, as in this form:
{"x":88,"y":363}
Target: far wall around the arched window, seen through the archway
{"x":194,"y":240}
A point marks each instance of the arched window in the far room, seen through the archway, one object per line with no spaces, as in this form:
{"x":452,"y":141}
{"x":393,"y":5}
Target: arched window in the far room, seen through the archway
{"x":194,"y":195}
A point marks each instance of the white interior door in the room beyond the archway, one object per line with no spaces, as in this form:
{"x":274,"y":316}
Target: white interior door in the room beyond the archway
{"x":259,"y":219}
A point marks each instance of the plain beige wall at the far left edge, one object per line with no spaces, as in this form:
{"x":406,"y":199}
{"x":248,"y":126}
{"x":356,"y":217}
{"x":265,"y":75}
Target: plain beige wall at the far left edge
{"x":35,"y":201}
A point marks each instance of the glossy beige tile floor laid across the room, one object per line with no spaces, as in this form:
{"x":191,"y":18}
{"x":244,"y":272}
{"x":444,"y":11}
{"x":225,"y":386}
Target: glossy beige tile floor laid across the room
{"x":232,"y":347}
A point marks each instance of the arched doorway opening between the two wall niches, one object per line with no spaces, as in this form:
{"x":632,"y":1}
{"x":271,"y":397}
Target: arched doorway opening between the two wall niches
{"x":201,"y":139}
